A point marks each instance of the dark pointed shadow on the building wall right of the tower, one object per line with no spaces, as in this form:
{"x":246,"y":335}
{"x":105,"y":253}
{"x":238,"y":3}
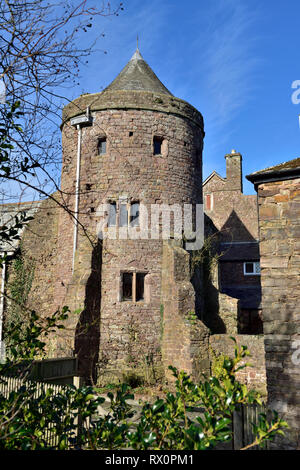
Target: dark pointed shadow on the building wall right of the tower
{"x":224,"y":298}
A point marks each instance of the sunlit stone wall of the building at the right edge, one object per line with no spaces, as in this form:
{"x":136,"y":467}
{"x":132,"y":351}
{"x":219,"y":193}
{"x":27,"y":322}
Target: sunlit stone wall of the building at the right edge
{"x":279,"y":226}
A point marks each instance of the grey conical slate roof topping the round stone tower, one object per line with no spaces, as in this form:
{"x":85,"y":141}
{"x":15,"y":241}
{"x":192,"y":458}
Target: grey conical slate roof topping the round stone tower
{"x":137,"y":75}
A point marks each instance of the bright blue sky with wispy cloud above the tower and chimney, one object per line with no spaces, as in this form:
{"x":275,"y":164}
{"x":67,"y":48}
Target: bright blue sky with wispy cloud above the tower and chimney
{"x":234,"y":60}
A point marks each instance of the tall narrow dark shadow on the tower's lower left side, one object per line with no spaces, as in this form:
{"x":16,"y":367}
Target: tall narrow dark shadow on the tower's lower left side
{"x":87,"y":335}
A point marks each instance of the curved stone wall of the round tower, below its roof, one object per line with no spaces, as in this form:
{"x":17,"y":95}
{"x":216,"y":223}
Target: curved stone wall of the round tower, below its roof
{"x":128,"y":332}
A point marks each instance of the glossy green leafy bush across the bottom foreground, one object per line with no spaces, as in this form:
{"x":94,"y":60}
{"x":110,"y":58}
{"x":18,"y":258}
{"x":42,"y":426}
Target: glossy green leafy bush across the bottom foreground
{"x":40,"y":418}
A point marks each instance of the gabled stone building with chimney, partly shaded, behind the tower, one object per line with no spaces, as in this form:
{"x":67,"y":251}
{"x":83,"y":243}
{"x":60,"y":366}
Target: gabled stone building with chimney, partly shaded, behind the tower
{"x":234,"y":216}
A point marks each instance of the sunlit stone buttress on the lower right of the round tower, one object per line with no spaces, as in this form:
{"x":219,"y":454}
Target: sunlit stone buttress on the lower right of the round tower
{"x":184,"y":336}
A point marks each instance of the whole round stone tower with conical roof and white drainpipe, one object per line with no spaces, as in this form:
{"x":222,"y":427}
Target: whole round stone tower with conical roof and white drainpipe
{"x":132,"y":145}
